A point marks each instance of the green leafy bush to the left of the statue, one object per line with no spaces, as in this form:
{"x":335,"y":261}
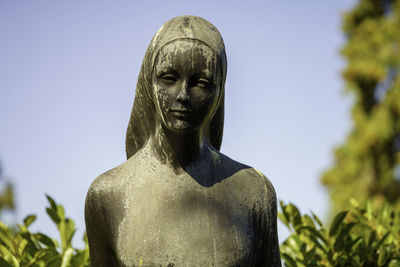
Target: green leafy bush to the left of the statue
{"x":20,"y":247}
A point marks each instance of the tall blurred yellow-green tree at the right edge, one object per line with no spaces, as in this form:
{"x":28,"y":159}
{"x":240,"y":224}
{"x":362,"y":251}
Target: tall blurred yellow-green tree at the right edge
{"x":367,"y":165}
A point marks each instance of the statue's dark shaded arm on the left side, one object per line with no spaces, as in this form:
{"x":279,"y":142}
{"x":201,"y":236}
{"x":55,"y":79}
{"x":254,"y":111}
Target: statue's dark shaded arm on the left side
{"x":101,"y":253}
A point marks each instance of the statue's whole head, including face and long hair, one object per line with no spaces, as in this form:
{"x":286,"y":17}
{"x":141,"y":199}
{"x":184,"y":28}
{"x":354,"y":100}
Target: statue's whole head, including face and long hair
{"x":181,"y":83}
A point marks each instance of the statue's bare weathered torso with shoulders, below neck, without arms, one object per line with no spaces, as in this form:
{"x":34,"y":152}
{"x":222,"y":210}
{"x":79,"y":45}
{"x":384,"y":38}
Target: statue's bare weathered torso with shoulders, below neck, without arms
{"x":169,"y":219}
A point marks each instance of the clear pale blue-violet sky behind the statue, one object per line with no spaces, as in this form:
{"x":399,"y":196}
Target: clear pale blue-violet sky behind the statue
{"x":68,"y":72}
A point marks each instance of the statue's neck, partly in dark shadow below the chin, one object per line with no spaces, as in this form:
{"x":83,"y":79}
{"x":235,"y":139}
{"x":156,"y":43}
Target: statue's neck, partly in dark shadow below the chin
{"x":177,"y":149}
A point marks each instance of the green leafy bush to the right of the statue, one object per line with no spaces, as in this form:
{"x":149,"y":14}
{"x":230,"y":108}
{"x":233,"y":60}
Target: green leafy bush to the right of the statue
{"x":358,"y":237}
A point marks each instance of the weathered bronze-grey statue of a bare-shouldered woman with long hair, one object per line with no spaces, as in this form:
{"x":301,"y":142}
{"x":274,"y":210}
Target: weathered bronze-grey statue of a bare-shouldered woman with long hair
{"x":177,"y":200}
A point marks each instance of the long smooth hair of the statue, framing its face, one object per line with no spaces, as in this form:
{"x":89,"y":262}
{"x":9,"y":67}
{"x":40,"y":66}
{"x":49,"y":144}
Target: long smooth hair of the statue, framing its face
{"x":142,"y":121}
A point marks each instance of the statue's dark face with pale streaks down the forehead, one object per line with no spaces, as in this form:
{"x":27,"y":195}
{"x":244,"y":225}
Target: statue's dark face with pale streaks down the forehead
{"x":186,"y":85}
